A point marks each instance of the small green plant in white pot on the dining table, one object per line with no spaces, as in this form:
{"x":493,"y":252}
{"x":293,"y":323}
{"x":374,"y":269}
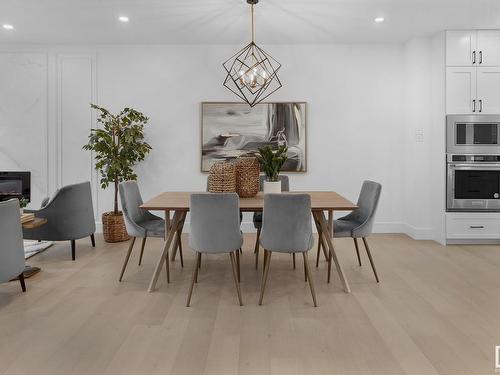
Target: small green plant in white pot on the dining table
{"x":271,"y":161}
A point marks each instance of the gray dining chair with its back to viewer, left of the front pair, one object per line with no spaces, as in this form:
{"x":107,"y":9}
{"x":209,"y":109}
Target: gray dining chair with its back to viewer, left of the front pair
{"x":215,"y":229}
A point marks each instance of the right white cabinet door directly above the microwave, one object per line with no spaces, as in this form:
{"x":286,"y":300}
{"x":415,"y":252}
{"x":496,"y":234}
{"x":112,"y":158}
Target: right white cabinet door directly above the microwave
{"x":488,"y":90}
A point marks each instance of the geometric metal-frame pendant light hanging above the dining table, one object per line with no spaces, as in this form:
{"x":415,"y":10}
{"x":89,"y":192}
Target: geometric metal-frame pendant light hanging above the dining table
{"x":252,"y":74}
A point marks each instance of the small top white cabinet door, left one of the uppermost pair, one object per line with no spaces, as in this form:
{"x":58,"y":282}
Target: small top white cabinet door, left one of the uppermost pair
{"x":461,"y":48}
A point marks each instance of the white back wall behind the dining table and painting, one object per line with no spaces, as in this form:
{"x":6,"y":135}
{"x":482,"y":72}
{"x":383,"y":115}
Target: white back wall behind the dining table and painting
{"x":364,"y":102}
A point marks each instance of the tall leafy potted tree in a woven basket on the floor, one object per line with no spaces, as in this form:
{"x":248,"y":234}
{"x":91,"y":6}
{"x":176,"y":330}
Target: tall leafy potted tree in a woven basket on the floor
{"x":118,"y":146}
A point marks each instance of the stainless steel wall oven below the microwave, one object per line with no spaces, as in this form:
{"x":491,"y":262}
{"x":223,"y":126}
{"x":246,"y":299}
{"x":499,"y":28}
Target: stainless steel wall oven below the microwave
{"x":473,"y":182}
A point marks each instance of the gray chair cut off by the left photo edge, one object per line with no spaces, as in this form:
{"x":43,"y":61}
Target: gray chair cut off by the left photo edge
{"x":11,"y":245}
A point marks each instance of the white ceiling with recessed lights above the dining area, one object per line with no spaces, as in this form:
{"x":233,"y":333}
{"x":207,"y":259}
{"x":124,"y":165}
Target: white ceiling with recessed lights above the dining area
{"x":227,"y":21}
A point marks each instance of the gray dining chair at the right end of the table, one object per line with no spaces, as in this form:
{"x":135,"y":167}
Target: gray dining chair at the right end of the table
{"x":359,"y":223}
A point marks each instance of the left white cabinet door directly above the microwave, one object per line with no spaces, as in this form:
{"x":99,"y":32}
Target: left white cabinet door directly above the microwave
{"x":461,"y":90}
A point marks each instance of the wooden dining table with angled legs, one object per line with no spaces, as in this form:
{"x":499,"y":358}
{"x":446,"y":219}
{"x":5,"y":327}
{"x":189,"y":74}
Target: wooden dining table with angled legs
{"x":321,"y":202}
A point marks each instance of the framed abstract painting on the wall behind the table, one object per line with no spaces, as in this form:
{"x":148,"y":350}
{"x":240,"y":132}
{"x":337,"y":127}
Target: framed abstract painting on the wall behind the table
{"x":230,"y":130}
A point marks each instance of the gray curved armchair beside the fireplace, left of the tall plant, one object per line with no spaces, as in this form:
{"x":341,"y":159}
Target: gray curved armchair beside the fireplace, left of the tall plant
{"x":69,"y":214}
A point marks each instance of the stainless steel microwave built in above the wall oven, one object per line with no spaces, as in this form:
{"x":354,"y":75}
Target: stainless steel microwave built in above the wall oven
{"x":473,"y":134}
